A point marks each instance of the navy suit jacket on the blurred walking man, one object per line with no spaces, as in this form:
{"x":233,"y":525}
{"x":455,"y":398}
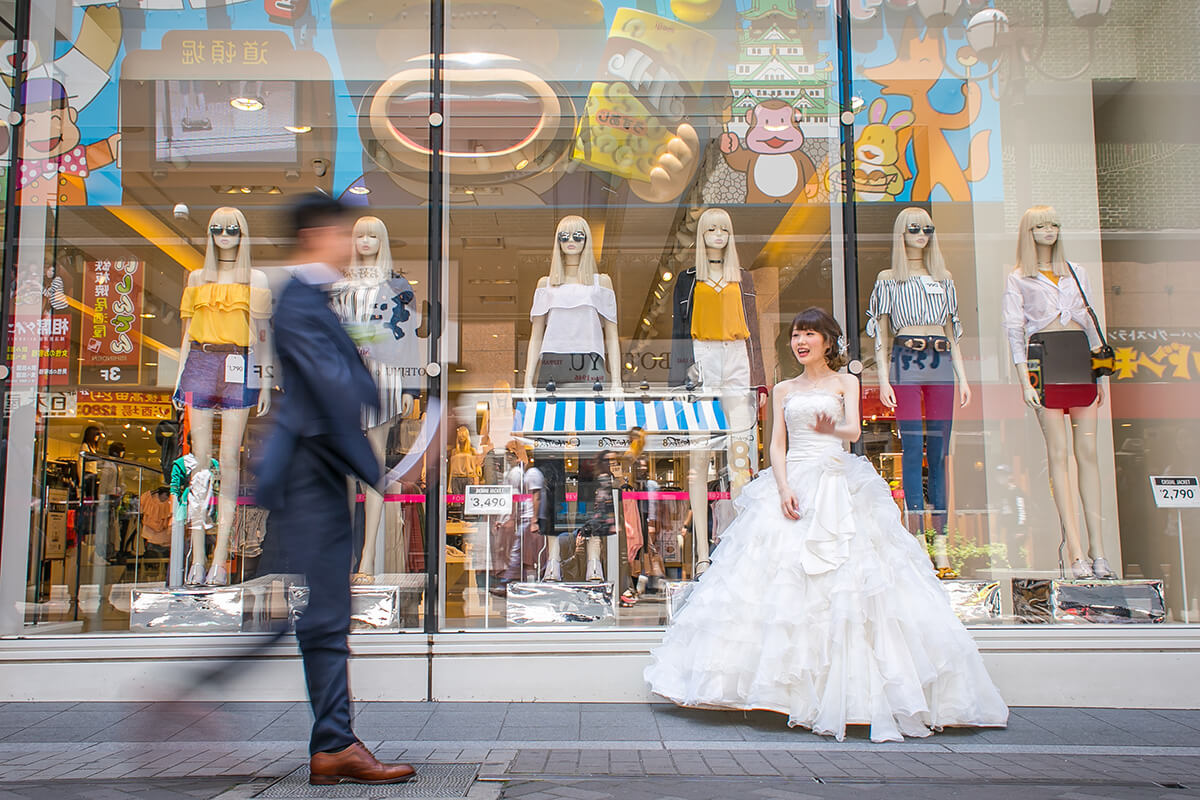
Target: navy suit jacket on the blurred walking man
{"x":326,"y":387}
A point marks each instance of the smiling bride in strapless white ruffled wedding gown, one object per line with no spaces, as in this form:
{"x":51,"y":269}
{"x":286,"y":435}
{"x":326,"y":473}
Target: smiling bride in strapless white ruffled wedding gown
{"x":819,"y":604}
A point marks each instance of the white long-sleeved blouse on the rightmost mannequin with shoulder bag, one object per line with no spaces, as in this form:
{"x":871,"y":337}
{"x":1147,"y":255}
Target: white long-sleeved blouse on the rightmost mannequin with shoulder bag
{"x":1033,"y":304}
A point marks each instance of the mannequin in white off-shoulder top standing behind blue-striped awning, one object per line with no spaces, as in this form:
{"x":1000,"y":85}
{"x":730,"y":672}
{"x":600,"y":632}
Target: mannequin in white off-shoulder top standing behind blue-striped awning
{"x":574,"y":342}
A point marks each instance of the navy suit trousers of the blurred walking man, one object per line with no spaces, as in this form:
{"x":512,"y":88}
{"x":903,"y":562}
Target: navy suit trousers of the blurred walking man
{"x":313,"y":536}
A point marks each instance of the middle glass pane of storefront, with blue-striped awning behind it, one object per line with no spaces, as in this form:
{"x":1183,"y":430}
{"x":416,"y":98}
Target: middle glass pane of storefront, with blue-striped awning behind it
{"x":590,"y":148}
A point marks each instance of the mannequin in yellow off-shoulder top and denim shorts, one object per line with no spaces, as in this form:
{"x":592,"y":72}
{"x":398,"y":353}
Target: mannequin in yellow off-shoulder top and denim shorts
{"x":226,"y":348}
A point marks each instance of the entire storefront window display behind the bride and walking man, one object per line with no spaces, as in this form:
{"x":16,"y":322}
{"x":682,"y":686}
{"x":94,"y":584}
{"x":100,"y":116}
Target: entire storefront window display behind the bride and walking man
{"x":575,"y":333}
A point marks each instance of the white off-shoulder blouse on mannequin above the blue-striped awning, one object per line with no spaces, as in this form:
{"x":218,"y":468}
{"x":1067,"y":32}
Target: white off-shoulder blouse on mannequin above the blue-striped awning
{"x":573,"y":314}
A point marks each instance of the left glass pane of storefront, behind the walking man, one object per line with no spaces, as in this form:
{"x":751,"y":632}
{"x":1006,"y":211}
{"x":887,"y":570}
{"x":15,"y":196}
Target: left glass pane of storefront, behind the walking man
{"x":155,"y":170}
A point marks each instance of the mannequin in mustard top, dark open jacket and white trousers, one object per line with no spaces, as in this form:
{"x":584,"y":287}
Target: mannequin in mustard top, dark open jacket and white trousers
{"x":716,"y":344}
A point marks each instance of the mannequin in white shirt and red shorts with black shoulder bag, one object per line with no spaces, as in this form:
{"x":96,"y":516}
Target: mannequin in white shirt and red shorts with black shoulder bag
{"x":1042,"y":299}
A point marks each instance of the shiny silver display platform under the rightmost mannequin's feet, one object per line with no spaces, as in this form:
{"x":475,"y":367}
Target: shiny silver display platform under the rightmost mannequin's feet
{"x":1052,"y":600}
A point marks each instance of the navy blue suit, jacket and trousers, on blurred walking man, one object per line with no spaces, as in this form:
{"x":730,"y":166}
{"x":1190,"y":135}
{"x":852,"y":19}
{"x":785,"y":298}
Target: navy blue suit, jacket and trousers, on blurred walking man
{"x":316,"y":444}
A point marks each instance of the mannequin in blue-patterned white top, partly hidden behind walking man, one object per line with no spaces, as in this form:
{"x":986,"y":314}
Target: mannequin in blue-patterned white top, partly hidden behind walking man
{"x":371,"y":293}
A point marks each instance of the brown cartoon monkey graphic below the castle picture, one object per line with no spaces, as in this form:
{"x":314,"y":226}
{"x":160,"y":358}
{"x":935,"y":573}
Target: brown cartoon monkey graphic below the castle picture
{"x":776,"y":167}
